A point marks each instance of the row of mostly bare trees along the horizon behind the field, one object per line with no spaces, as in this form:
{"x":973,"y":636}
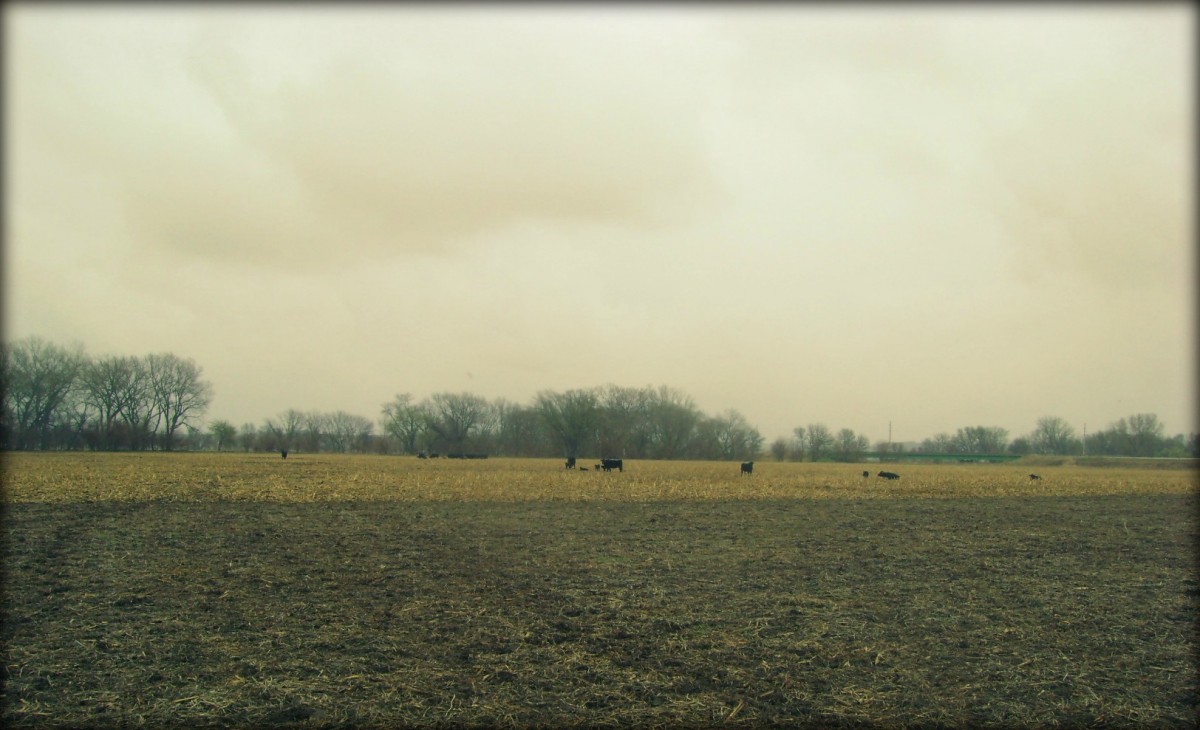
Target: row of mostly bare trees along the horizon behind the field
{"x":59,"y":398}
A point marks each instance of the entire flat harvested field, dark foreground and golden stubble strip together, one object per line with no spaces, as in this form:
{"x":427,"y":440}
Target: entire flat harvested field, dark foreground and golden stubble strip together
{"x":320,"y":591}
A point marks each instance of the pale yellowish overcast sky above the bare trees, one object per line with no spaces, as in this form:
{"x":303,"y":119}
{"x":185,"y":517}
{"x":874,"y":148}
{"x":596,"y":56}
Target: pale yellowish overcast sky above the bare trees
{"x":917,"y":218}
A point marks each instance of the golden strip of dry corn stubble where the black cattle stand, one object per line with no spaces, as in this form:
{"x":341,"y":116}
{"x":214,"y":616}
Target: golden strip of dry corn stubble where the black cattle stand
{"x":59,"y":477}
